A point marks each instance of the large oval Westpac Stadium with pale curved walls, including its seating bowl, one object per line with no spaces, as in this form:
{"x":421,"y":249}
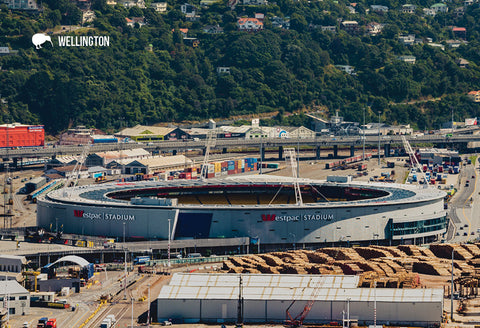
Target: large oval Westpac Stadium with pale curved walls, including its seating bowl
{"x":261,"y":207}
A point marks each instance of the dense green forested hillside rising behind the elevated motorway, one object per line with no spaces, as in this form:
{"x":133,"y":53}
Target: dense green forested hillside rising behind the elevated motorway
{"x":275,"y":69}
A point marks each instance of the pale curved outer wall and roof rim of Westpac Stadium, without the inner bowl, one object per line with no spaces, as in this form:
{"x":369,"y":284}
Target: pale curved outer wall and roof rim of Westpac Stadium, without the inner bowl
{"x":419,"y":217}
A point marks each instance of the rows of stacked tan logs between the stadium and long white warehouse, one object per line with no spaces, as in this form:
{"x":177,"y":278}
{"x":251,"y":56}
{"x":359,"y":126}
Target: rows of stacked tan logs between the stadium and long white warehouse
{"x":392,"y":264}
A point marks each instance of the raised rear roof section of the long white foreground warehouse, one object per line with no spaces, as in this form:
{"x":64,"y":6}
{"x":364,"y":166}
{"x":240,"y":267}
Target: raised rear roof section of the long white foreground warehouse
{"x":264,"y":280}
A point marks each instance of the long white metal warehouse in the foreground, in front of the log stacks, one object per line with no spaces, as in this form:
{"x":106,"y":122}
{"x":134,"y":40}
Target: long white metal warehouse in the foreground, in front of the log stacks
{"x":213,"y":298}
